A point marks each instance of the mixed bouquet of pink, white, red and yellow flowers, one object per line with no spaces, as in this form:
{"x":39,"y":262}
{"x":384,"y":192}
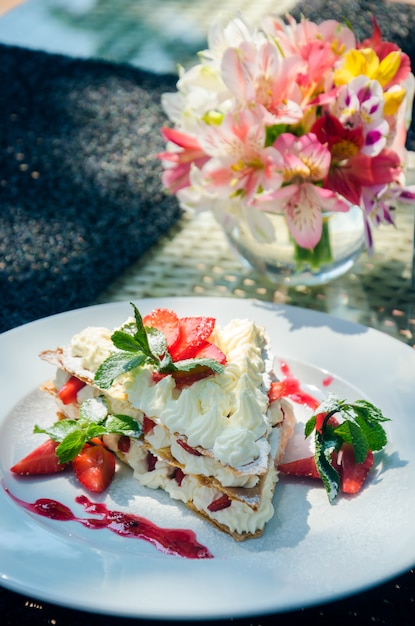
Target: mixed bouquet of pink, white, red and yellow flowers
{"x":293,"y":118}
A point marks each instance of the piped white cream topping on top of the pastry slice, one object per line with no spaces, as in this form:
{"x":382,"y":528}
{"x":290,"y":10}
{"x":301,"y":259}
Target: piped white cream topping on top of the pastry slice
{"x":225,"y":414}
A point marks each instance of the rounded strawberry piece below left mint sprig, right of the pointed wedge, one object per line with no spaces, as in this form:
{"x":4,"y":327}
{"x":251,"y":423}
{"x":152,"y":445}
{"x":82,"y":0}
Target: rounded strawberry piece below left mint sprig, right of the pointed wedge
{"x":94,"y":467}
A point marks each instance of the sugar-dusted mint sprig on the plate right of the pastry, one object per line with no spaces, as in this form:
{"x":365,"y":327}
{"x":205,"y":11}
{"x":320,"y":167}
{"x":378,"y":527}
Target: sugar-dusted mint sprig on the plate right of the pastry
{"x":358,"y":424}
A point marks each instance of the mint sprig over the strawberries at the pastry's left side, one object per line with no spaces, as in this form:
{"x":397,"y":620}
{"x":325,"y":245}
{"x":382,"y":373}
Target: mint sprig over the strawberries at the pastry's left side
{"x":94,"y":421}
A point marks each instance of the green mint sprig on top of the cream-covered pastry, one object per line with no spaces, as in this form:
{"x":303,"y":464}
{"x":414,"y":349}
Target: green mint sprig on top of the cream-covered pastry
{"x":138,"y":345}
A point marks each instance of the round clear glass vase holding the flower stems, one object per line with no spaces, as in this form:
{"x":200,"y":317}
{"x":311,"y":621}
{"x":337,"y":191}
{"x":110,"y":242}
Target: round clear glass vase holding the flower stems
{"x":284,"y":262}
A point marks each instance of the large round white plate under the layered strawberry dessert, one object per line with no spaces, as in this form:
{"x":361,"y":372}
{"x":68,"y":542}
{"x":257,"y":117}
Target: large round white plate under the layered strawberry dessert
{"x":311,"y":551}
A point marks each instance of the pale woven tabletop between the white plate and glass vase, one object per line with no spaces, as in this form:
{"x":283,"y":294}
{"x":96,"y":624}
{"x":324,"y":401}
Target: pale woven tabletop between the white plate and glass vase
{"x":194,"y":259}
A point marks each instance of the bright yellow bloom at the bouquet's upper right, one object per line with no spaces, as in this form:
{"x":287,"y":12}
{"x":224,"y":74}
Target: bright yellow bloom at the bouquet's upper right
{"x":366,"y":62}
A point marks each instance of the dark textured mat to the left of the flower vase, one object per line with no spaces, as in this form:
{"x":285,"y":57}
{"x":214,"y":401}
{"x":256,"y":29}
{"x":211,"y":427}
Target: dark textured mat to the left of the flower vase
{"x":80,"y":190}
